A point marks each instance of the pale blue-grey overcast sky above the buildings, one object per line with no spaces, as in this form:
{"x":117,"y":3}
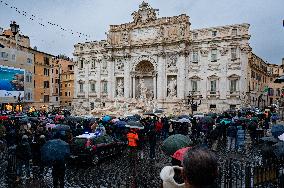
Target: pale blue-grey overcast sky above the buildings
{"x":93,"y":17}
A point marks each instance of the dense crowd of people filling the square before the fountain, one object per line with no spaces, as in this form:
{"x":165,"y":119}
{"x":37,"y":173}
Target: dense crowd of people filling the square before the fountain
{"x":28,"y":137}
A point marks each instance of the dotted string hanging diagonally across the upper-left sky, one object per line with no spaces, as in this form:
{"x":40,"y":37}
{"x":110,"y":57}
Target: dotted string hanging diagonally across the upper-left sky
{"x":41,"y":22}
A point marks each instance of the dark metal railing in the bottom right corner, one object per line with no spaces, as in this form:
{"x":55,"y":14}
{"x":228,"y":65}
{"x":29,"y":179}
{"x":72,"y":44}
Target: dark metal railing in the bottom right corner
{"x":240,"y":173}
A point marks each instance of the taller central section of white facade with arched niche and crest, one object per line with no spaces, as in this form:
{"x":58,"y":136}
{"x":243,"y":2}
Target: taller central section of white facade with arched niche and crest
{"x":149,"y":56}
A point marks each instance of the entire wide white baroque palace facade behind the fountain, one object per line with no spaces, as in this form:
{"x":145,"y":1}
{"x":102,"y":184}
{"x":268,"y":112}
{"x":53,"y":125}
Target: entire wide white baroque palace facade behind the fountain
{"x":158,"y":62}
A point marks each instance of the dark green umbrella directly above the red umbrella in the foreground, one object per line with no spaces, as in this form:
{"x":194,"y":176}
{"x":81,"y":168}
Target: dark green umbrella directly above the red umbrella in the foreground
{"x":174,"y":143}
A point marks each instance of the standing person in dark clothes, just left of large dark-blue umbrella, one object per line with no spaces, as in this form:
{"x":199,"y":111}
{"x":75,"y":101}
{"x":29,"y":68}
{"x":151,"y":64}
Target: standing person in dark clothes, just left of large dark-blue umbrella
{"x":23,"y":157}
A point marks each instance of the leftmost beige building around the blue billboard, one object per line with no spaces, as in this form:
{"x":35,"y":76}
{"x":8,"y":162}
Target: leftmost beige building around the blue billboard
{"x":14,"y":54}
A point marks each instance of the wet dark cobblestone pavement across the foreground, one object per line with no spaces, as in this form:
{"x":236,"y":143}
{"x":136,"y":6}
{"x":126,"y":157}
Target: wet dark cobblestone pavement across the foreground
{"x":112,"y":172}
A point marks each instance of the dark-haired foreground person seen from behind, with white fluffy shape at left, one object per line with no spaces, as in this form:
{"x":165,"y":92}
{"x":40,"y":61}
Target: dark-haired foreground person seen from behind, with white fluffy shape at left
{"x":200,"y":170}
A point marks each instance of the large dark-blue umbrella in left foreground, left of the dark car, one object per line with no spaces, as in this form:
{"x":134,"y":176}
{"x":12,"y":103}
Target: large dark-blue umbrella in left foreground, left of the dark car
{"x":55,"y":150}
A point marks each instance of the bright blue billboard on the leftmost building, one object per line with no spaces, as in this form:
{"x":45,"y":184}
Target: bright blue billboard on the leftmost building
{"x":12,"y":82}
